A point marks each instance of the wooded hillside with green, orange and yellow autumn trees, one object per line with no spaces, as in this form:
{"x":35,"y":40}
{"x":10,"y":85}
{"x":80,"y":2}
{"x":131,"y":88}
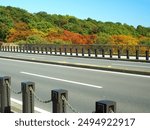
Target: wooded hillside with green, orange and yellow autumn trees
{"x":20,"y":26}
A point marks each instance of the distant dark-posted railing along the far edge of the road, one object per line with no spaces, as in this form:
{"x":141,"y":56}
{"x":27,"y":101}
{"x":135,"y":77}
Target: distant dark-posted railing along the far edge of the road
{"x":92,"y":51}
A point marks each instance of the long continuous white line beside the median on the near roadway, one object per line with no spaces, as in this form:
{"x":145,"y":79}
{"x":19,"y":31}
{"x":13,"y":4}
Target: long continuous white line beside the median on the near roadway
{"x":77,"y":68}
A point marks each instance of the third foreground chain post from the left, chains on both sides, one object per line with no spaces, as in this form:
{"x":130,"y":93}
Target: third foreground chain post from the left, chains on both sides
{"x":59,"y":105}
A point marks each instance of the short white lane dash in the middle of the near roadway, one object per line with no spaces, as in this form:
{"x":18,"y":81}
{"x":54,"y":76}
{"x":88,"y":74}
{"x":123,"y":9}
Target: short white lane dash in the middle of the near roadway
{"x":62,"y":80}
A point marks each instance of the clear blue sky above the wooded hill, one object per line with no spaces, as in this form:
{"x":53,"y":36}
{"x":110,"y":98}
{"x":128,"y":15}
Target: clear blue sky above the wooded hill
{"x":132,"y":12}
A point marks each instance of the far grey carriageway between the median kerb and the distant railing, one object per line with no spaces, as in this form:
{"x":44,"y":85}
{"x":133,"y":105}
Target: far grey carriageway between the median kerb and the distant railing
{"x":116,"y":64}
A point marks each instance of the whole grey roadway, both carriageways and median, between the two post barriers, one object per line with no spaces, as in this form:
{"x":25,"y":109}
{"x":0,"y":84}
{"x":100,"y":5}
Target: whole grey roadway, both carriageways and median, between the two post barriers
{"x":86,"y":79}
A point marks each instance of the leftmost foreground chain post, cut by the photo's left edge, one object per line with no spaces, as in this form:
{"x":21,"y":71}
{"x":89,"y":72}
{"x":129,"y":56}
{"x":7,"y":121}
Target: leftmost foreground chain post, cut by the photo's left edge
{"x":5,"y":94}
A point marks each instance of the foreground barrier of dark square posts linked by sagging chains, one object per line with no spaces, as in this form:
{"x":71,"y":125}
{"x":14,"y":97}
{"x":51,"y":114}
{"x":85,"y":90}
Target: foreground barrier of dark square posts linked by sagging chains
{"x":59,"y":99}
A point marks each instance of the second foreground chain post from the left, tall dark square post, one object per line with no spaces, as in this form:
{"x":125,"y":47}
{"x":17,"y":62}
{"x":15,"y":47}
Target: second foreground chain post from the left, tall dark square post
{"x":27,"y":97}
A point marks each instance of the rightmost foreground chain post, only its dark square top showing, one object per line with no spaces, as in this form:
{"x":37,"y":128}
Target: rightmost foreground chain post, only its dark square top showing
{"x":105,"y":106}
